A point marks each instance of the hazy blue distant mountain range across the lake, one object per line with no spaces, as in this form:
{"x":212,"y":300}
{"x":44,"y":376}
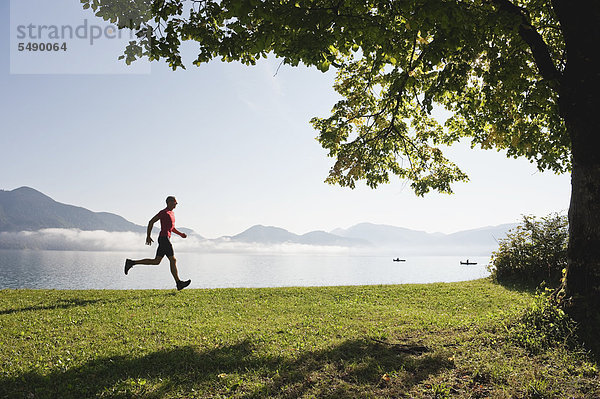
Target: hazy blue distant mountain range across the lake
{"x":26,"y":209}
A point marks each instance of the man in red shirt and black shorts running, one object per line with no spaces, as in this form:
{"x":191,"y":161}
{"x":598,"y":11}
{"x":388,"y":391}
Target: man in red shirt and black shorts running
{"x":167,"y":225}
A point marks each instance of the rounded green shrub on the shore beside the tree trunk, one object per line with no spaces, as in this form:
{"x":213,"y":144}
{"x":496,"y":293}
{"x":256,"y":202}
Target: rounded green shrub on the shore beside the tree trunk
{"x":534,"y":253}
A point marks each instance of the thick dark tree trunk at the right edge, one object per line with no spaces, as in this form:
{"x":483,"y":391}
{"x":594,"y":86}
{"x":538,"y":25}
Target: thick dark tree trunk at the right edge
{"x":580,"y":108}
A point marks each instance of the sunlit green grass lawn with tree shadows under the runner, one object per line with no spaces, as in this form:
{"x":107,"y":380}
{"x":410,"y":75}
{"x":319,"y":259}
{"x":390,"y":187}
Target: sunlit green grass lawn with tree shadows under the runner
{"x":422,"y":341}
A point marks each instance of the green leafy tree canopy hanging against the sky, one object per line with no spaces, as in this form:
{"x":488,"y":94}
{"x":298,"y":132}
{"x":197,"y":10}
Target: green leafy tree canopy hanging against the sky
{"x":492,"y":63}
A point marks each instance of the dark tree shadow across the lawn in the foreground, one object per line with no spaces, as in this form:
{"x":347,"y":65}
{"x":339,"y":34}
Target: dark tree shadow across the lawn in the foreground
{"x":239,"y":370}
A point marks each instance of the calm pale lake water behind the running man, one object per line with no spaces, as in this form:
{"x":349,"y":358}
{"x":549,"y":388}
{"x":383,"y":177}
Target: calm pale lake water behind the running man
{"x":104,"y":270}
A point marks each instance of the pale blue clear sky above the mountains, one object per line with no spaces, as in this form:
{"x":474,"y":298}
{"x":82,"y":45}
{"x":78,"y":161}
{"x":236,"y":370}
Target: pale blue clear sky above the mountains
{"x":232,"y":143}
